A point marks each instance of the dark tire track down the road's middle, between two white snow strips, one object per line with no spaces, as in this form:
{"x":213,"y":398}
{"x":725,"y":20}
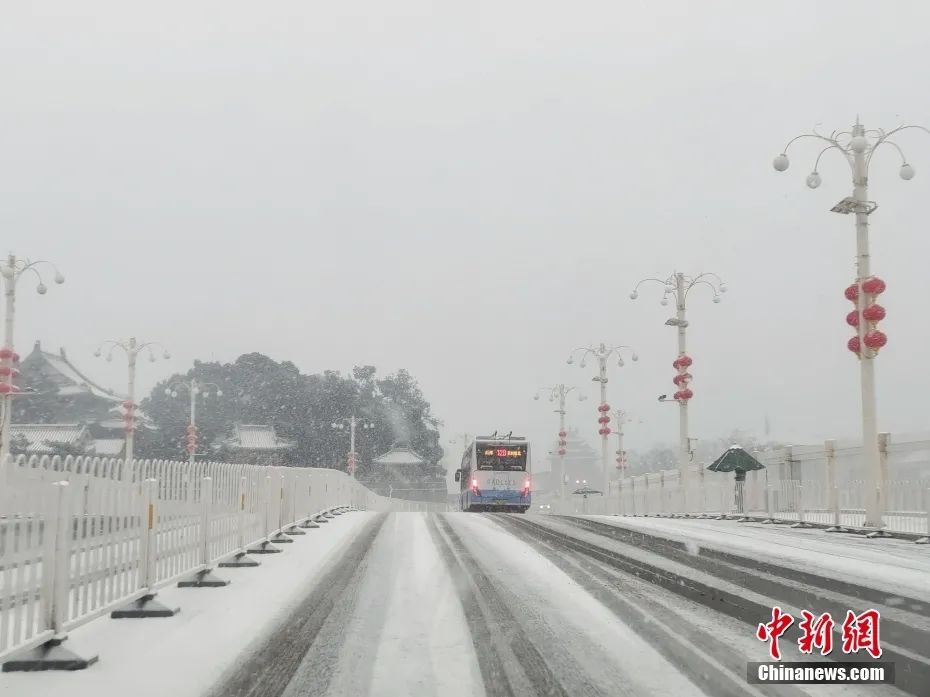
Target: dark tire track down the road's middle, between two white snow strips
{"x":509,"y":663}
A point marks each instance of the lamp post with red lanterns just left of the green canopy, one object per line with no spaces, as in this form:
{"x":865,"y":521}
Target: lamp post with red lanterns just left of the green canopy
{"x":678,"y":285}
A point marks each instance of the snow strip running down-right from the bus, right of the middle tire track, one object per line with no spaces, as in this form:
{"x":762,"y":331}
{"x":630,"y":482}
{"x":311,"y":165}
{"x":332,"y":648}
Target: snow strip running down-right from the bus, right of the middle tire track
{"x":592,"y":636}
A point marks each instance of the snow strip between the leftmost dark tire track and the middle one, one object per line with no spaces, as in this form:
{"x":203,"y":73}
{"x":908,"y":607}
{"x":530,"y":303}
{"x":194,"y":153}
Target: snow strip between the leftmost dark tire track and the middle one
{"x":401,"y":633}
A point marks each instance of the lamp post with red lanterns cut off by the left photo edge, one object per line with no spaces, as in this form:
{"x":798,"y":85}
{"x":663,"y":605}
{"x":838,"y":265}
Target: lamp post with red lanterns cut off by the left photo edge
{"x":11,"y":271}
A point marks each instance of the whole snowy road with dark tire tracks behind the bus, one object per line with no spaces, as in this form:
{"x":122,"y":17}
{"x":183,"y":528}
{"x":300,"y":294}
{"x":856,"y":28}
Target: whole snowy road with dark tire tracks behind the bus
{"x":497,"y":605}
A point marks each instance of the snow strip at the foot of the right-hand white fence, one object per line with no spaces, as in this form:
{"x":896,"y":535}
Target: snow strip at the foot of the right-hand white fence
{"x":891,"y":565}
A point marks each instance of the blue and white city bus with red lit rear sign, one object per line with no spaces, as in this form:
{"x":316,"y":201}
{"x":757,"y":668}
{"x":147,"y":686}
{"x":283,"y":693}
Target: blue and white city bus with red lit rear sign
{"x":495,"y":475}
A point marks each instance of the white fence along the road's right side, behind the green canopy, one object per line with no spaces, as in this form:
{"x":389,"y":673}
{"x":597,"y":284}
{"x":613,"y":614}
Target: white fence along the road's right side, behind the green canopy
{"x":807,"y":484}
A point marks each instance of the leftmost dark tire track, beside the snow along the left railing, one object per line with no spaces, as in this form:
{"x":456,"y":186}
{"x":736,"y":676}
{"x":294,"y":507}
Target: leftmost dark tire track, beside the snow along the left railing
{"x":268,"y":670}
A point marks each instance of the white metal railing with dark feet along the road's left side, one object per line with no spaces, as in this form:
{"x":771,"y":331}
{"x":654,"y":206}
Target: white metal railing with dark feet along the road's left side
{"x":83,"y":537}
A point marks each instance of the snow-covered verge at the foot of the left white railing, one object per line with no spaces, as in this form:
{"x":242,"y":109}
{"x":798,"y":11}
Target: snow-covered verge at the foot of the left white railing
{"x":183,"y":655}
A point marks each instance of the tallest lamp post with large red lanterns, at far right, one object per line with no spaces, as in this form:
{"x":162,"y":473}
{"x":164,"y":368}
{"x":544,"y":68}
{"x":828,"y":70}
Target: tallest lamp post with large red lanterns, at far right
{"x":858,"y":145}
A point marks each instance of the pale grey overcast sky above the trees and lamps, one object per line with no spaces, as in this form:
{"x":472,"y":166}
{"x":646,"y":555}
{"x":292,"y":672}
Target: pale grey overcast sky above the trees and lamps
{"x":469,"y":190}
